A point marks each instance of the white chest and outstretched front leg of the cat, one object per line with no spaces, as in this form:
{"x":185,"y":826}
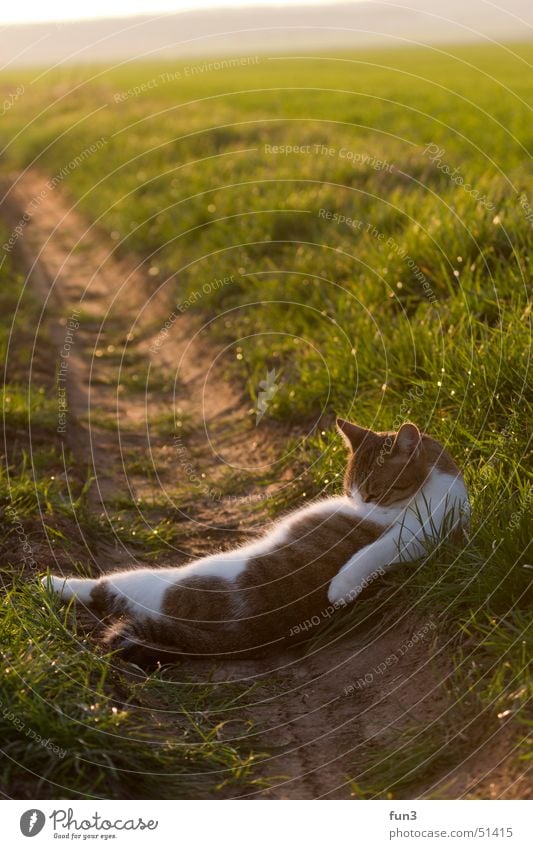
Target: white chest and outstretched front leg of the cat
{"x":441,"y":500}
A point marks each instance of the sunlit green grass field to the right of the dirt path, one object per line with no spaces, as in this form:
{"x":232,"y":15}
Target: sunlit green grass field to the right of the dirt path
{"x":186,"y":179}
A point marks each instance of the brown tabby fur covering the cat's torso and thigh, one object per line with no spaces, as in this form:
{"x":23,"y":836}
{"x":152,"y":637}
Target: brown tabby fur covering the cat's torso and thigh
{"x":270,"y":602}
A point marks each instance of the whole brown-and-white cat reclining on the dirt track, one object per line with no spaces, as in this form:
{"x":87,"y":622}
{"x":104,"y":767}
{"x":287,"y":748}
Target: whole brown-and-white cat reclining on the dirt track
{"x":401,"y":491}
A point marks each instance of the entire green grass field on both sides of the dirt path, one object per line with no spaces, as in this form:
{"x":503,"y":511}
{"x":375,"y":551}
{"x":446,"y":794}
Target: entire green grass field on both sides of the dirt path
{"x":370,"y":219}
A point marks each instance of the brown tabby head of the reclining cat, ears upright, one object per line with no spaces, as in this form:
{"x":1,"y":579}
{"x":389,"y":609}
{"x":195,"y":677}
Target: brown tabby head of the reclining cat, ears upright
{"x":384,"y":468}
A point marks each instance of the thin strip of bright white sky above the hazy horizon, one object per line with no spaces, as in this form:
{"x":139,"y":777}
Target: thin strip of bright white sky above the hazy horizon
{"x":30,"y":11}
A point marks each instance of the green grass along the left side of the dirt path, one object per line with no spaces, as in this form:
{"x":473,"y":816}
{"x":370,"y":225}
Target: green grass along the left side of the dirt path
{"x":73,"y":722}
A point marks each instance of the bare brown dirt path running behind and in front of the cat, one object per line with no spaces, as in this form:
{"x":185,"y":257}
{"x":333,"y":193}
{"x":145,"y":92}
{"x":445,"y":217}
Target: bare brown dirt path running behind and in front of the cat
{"x":177,"y":435}
